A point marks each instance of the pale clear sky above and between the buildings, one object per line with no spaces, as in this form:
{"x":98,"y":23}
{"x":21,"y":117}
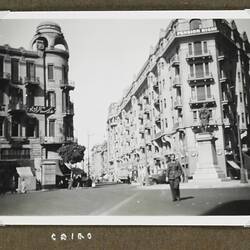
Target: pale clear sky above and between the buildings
{"x":105,"y":55}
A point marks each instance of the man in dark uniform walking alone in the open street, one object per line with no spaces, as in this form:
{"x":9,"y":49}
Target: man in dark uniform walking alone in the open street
{"x":173,"y":176}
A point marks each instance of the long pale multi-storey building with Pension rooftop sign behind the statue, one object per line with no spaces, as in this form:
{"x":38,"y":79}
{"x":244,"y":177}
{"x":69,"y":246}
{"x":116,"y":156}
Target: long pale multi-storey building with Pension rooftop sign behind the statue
{"x":195,"y":64}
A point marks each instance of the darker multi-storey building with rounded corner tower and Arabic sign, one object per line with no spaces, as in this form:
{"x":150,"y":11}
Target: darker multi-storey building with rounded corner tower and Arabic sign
{"x":36,"y":114}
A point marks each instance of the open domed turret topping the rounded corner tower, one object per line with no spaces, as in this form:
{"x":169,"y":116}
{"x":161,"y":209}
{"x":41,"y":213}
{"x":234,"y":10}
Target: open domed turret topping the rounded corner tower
{"x":50,"y":35}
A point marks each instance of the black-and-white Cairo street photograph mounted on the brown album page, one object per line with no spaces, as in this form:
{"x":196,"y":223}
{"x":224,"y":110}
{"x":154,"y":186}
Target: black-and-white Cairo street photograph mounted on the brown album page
{"x":125,"y":117}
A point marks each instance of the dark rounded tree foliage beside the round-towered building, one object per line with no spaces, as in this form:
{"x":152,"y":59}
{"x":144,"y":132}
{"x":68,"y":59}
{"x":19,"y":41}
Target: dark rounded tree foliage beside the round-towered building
{"x":72,"y":153}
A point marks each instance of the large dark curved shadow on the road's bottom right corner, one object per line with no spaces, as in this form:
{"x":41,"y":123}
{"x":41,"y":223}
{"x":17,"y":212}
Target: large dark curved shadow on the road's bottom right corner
{"x":239,"y":207}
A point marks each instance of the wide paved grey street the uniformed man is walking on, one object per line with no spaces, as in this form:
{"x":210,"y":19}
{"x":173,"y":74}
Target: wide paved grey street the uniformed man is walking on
{"x":124,"y":199}
